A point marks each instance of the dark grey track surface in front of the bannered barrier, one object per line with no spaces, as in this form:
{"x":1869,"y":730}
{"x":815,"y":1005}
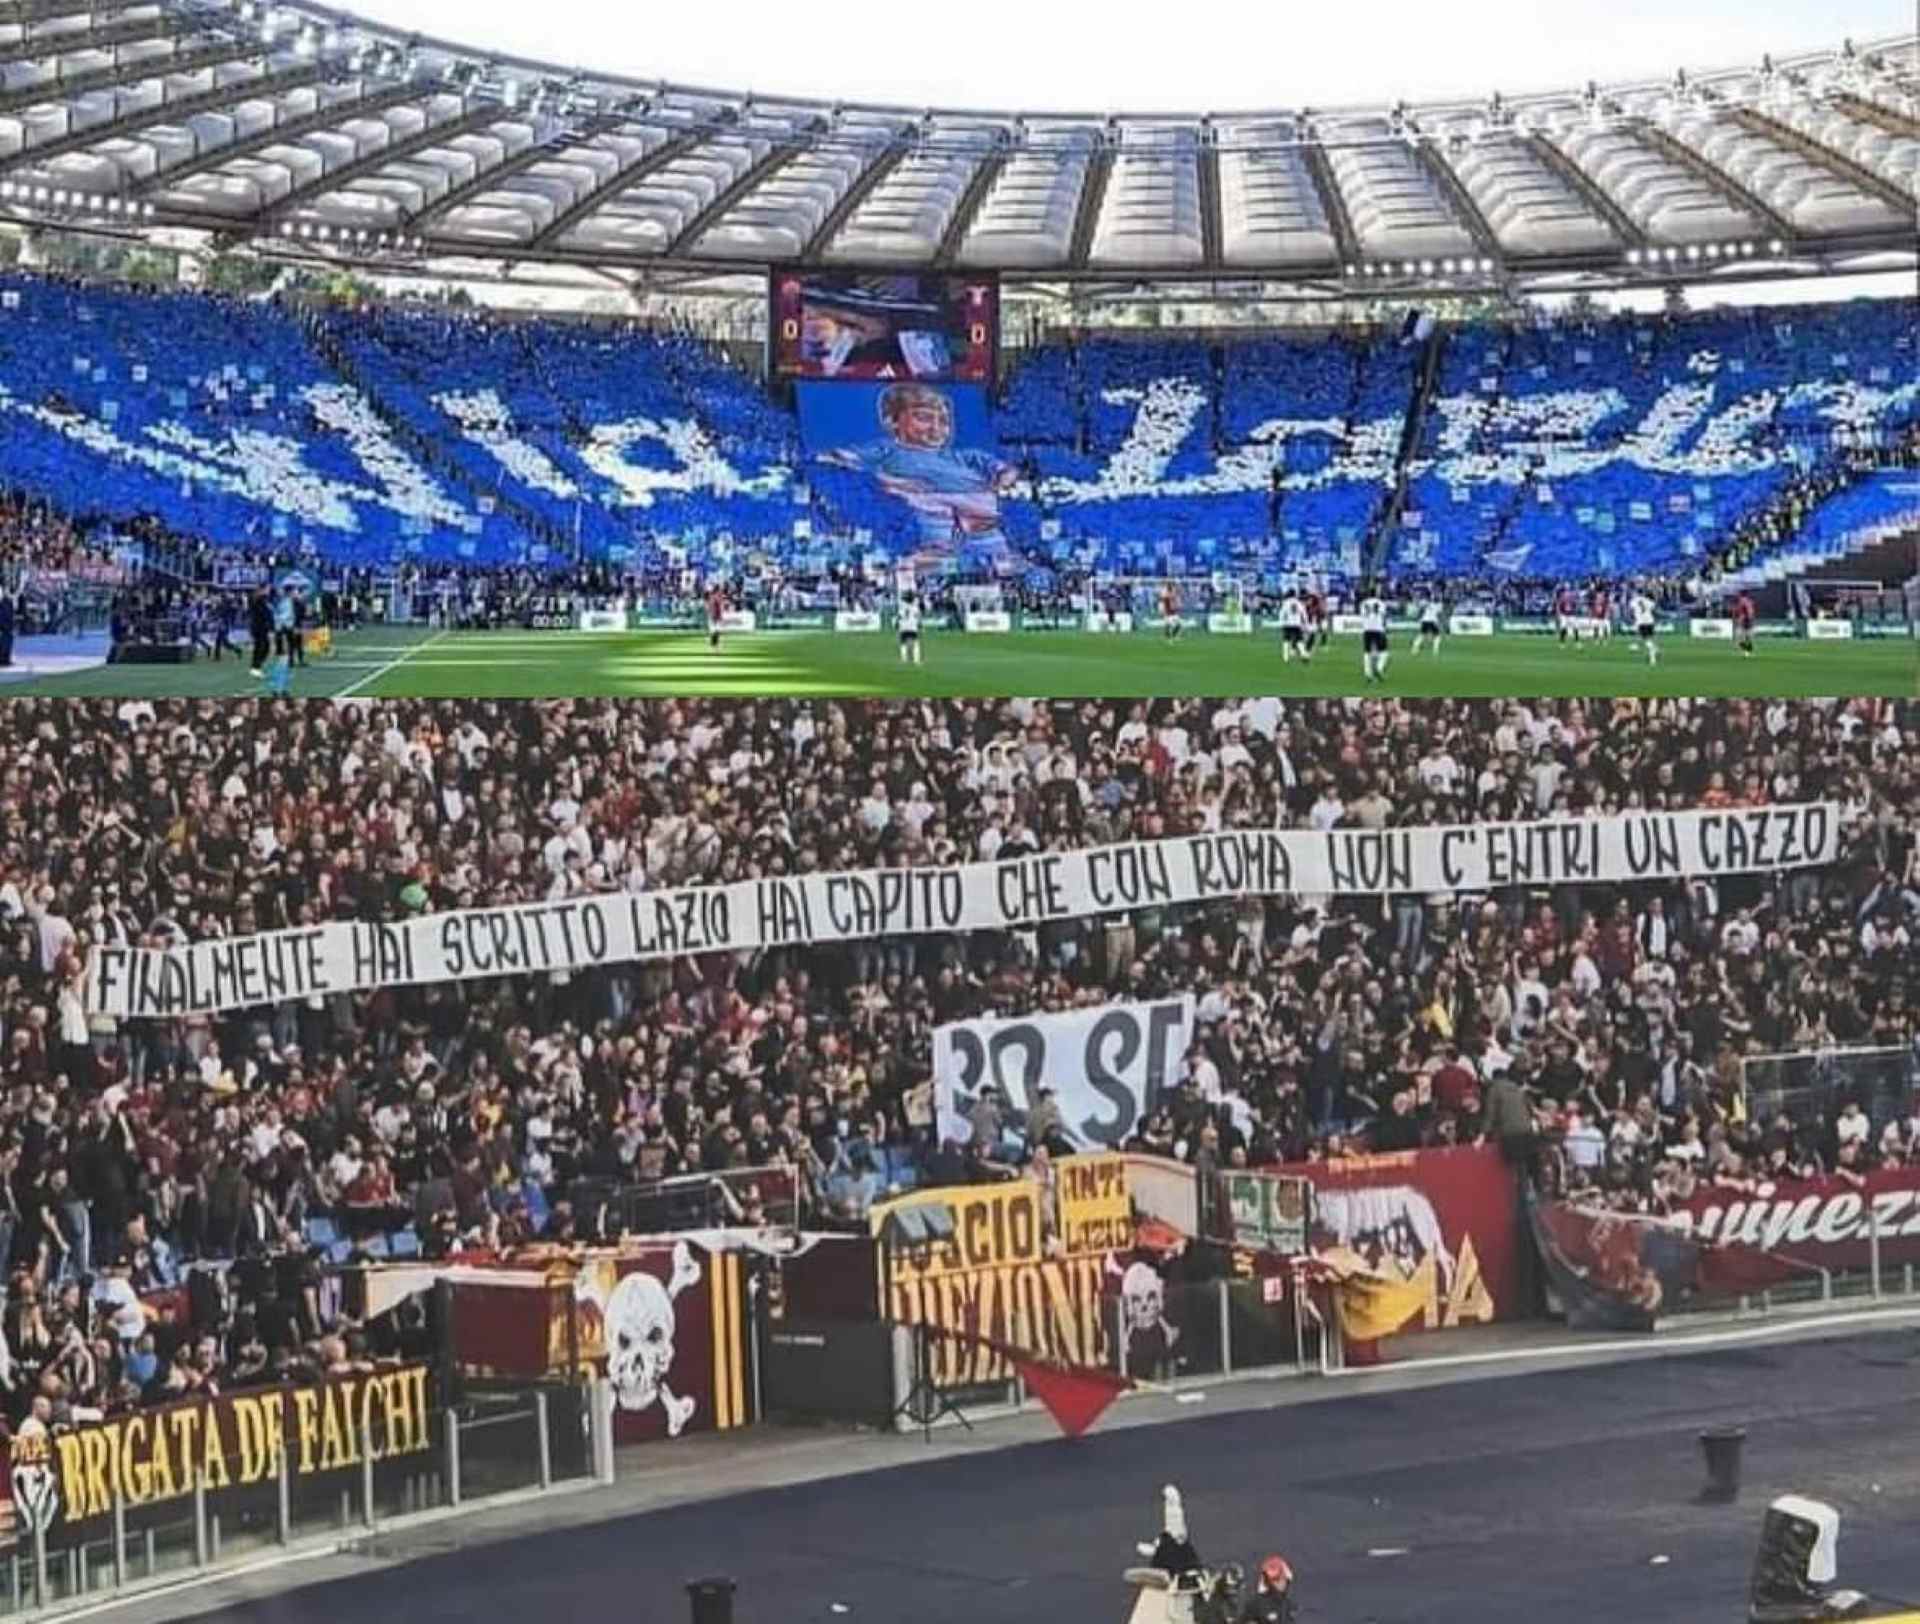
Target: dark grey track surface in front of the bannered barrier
{"x":1570,"y":1496}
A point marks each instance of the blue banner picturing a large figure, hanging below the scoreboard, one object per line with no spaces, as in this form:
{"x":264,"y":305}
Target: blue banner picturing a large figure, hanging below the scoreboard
{"x":930,"y":446}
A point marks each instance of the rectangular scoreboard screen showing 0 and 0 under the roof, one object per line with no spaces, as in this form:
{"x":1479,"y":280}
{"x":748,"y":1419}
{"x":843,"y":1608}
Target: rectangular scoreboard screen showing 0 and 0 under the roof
{"x":869,"y":327}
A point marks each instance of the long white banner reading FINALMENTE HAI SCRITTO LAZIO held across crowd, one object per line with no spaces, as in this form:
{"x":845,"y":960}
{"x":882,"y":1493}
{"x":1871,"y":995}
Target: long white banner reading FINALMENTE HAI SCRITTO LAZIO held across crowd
{"x":1015,"y":896}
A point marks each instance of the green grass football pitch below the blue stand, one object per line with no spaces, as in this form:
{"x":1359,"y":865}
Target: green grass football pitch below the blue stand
{"x":537,"y":665}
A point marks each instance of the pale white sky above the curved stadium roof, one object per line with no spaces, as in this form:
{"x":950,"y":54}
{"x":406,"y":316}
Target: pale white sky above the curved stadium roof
{"x":1001,"y":55}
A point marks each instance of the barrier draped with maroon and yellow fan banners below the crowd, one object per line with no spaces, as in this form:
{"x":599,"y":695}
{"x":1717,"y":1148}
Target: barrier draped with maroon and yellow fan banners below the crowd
{"x":539,"y":1364}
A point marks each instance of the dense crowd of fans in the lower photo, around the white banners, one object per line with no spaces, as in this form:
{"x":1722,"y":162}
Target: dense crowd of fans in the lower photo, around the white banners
{"x":473,"y":1114}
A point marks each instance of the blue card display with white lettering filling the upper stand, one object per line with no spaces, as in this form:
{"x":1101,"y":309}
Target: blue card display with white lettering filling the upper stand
{"x":385,"y":435}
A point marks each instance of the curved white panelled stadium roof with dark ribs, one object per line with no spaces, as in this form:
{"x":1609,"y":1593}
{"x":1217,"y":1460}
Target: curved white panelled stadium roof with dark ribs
{"x":327,"y":135}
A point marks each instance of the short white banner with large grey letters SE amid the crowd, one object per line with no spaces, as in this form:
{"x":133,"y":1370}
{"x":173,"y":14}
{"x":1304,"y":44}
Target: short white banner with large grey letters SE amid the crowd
{"x":1107,"y":1066}
